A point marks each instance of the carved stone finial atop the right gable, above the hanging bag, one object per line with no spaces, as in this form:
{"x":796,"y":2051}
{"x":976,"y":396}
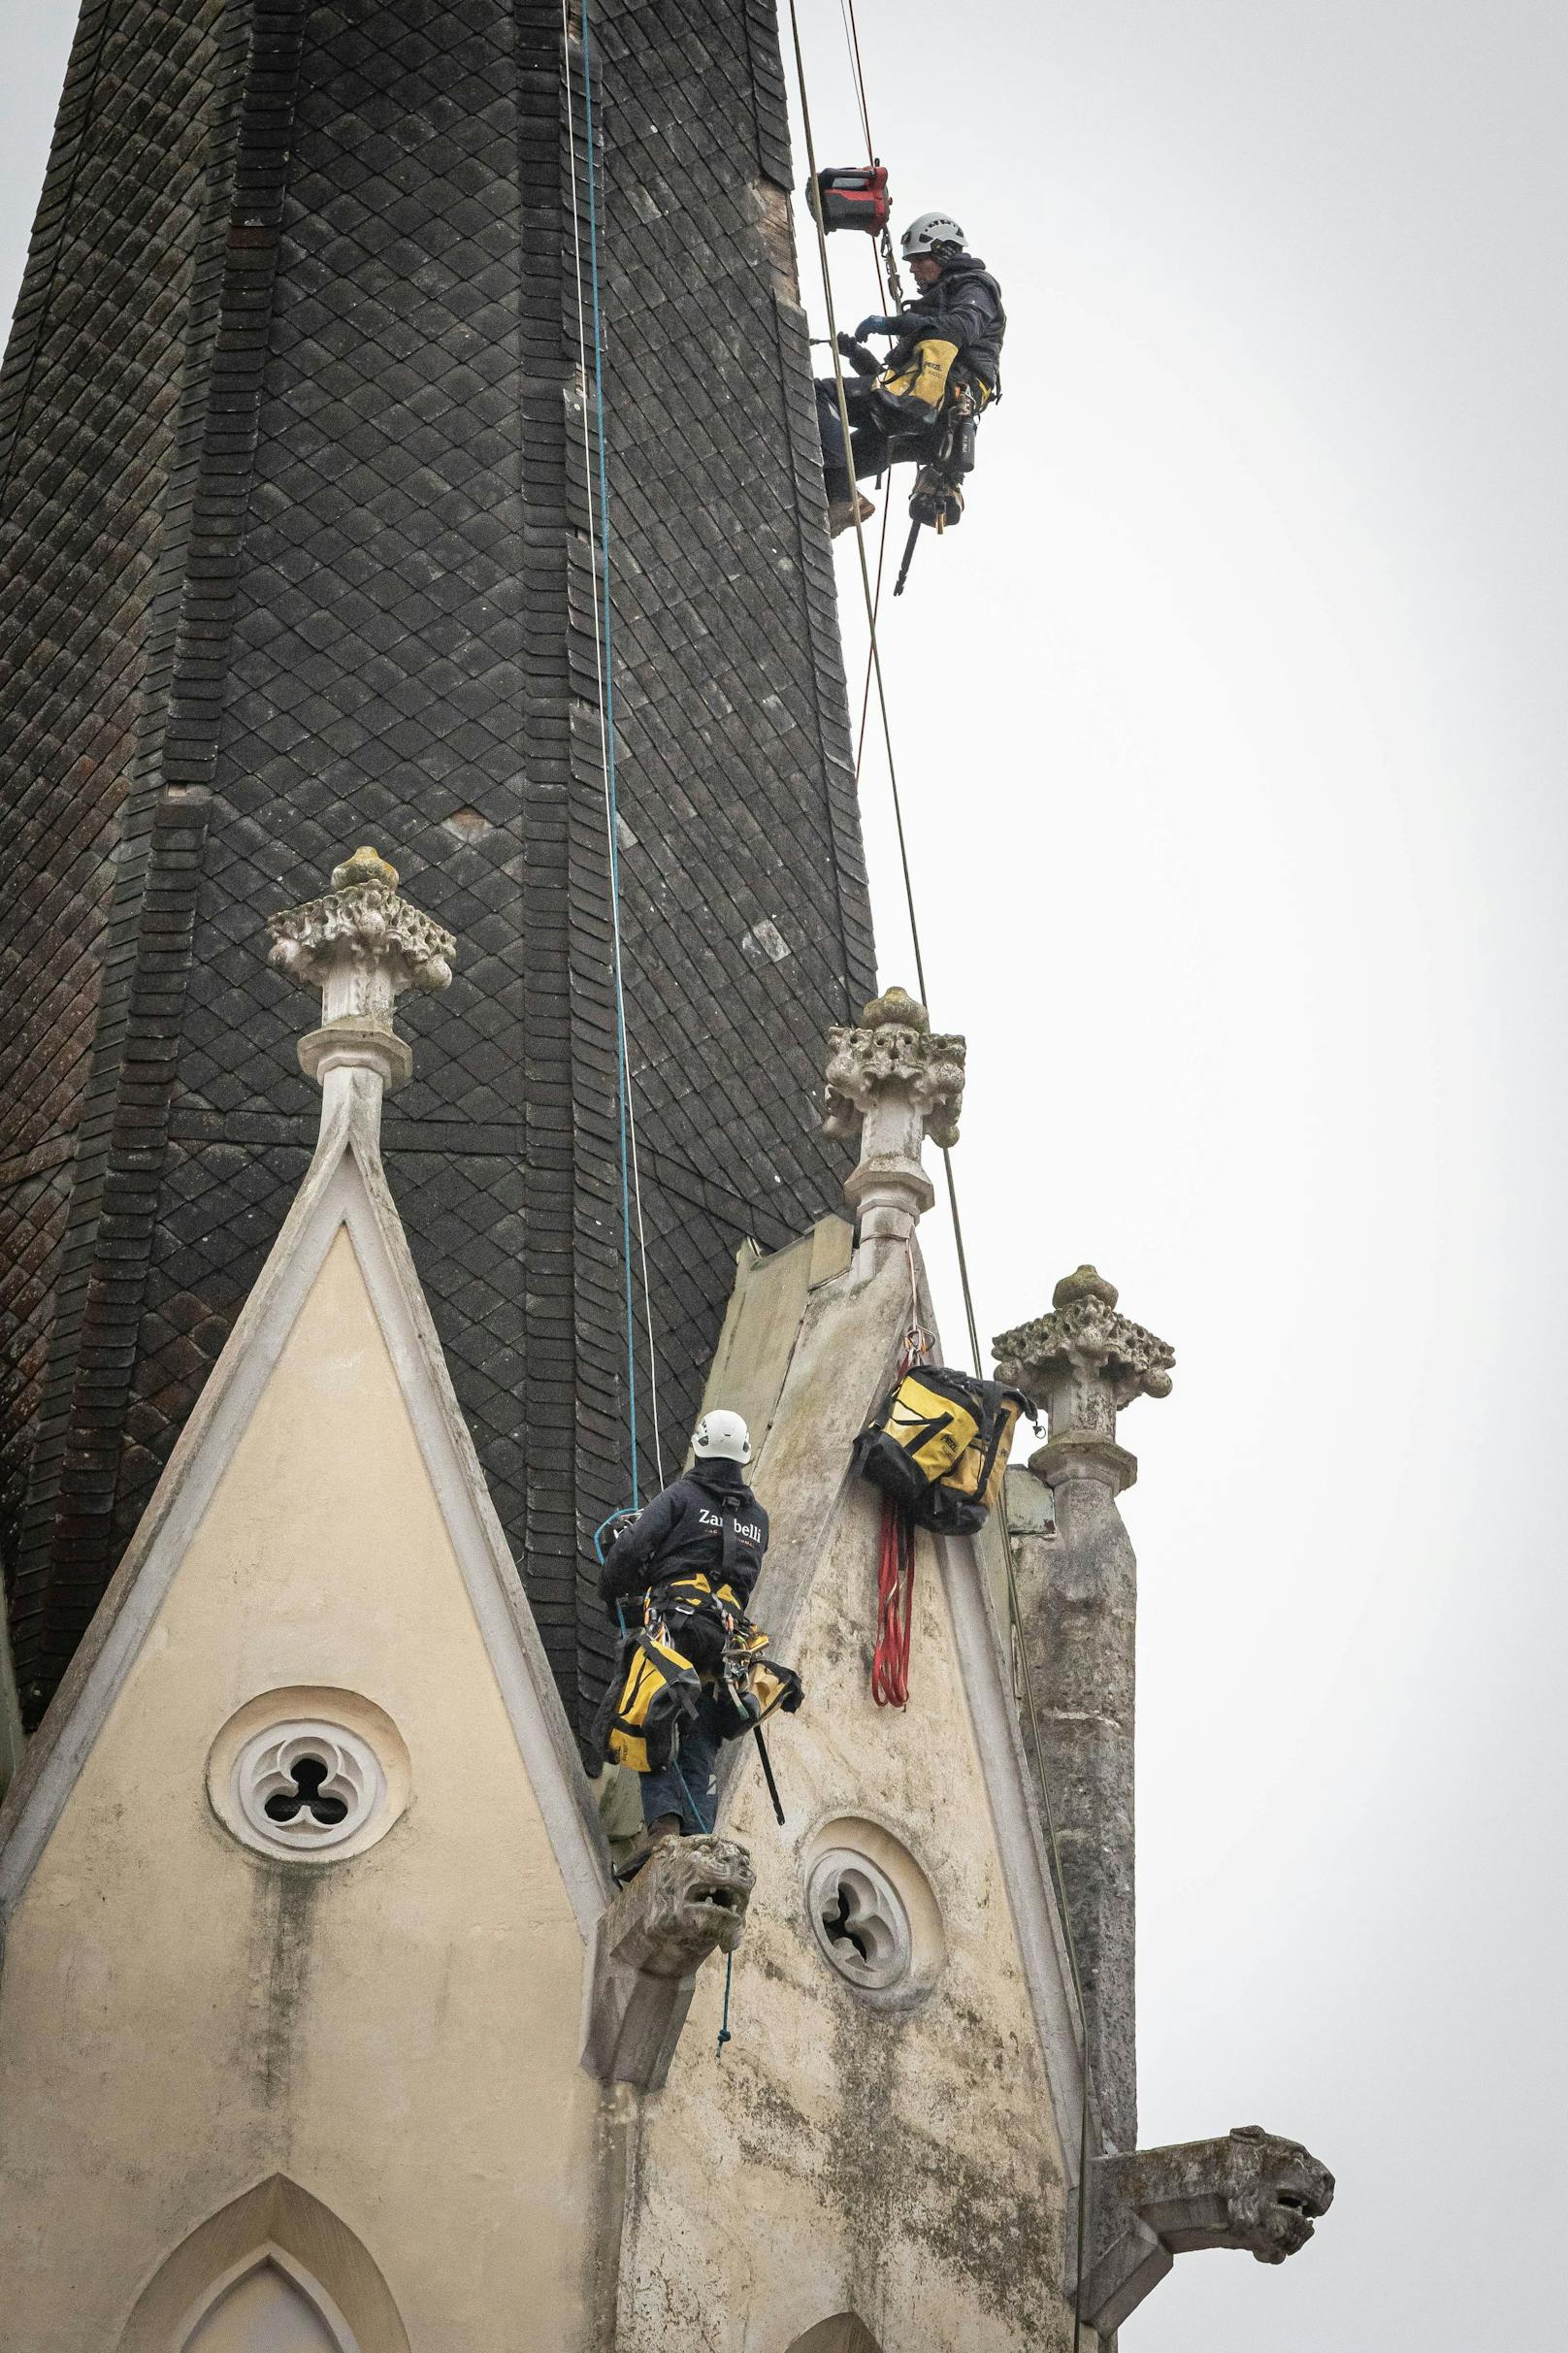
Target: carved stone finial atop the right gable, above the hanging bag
{"x":896,"y":1081}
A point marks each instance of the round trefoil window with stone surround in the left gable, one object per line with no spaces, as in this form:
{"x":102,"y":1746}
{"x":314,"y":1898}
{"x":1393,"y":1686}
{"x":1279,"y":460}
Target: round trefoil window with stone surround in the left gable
{"x":310,"y":1773}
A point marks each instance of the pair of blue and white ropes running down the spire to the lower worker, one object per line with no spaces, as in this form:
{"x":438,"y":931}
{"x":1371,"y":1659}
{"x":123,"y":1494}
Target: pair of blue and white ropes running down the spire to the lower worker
{"x":604,"y":667}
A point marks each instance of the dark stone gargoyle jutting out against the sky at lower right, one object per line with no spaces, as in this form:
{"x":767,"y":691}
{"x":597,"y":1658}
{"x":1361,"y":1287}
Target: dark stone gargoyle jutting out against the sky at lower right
{"x":1251,"y":2192}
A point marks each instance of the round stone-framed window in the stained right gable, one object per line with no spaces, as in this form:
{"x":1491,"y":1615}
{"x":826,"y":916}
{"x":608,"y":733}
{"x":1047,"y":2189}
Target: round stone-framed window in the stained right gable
{"x":872,"y":1909}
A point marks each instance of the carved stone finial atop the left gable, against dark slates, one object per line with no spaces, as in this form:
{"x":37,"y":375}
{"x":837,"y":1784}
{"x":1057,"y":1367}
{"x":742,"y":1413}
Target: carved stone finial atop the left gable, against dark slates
{"x":361,"y":945}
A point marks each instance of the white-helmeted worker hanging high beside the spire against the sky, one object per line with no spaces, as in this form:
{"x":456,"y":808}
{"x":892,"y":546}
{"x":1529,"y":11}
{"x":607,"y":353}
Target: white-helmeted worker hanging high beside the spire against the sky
{"x":948,"y":338}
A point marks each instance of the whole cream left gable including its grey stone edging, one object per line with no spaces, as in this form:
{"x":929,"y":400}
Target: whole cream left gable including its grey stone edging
{"x":185,"y":2008}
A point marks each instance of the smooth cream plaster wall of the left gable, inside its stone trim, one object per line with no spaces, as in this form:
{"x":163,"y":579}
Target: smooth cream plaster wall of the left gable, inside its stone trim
{"x":182,"y":2018}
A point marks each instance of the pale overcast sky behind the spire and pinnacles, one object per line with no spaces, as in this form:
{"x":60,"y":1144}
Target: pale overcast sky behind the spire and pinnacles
{"x":1233,"y":749}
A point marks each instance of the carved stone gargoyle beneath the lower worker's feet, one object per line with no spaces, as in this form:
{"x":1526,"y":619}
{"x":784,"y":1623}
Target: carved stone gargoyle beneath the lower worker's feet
{"x":686,"y":1902}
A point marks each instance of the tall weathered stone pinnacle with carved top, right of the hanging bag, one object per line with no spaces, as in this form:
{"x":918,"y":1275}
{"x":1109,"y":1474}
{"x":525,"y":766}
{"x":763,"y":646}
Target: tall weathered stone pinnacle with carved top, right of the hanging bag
{"x":1079,"y":1627}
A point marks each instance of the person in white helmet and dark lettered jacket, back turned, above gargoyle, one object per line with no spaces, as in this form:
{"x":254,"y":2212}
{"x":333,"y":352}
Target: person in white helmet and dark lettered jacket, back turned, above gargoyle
{"x":686,"y":1566}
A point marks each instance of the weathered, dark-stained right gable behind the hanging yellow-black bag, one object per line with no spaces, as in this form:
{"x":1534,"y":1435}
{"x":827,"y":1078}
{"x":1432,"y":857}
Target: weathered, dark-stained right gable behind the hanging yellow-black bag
{"x":910,"y":2142}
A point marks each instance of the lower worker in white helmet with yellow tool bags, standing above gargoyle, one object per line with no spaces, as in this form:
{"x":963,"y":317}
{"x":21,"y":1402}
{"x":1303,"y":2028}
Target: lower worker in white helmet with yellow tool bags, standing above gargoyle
{"x":691,"y":1669}
